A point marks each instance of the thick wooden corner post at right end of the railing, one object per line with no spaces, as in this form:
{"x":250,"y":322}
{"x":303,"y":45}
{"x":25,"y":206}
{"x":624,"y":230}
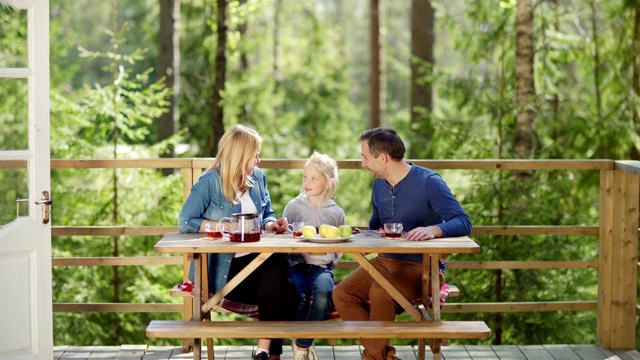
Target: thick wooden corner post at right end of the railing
{"x":618,"y":257}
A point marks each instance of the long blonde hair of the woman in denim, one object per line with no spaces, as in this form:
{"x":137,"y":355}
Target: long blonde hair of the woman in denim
{"x":238,"y":146}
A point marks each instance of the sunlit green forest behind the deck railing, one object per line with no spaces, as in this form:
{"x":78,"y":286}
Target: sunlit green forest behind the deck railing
{"x":299,"y":72}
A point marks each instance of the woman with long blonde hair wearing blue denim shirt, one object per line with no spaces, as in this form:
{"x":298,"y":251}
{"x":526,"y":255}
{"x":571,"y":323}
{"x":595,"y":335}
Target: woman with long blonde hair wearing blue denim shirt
{"x":233,"y":184}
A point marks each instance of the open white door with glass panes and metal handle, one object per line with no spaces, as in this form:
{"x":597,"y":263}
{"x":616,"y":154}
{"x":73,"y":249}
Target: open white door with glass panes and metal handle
{"x":26,"y":330}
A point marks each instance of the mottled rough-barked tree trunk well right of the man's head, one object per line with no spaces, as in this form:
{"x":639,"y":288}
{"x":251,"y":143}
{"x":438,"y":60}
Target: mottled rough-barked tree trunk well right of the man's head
{"x":524,"y":144}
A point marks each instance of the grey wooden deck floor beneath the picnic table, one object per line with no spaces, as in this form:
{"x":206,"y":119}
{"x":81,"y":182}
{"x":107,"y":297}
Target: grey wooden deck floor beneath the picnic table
{"x":457,"y":352}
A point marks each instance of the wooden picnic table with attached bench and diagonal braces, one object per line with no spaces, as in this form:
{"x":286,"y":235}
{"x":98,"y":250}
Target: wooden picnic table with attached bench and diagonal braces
{"x":197,"y":245}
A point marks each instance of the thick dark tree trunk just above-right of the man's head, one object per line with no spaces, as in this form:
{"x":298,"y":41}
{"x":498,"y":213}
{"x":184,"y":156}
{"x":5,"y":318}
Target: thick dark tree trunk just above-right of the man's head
{"x":422,"y":42}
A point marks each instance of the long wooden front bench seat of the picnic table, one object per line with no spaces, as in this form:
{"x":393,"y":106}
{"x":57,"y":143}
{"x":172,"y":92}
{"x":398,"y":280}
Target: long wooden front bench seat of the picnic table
{"x":317,"y":329}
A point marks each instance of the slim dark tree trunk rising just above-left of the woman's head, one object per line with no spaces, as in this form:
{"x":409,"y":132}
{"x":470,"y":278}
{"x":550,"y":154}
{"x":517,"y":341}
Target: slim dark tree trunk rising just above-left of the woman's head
{"x":217,"y":110}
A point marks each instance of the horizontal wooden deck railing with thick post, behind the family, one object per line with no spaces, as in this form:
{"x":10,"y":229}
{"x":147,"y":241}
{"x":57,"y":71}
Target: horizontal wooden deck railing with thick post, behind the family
{"x":617,"y":262}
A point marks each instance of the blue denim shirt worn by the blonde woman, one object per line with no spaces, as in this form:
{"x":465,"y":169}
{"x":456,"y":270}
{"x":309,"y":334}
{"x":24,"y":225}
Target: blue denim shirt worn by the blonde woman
{"x":207,"y":201}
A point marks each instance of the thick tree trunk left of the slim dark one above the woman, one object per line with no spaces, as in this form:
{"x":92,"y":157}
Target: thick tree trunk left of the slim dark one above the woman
{"x":169,"y":68}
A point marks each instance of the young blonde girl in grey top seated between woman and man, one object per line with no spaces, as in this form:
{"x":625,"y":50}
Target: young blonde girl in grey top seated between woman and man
{"x":313,"y":273}
